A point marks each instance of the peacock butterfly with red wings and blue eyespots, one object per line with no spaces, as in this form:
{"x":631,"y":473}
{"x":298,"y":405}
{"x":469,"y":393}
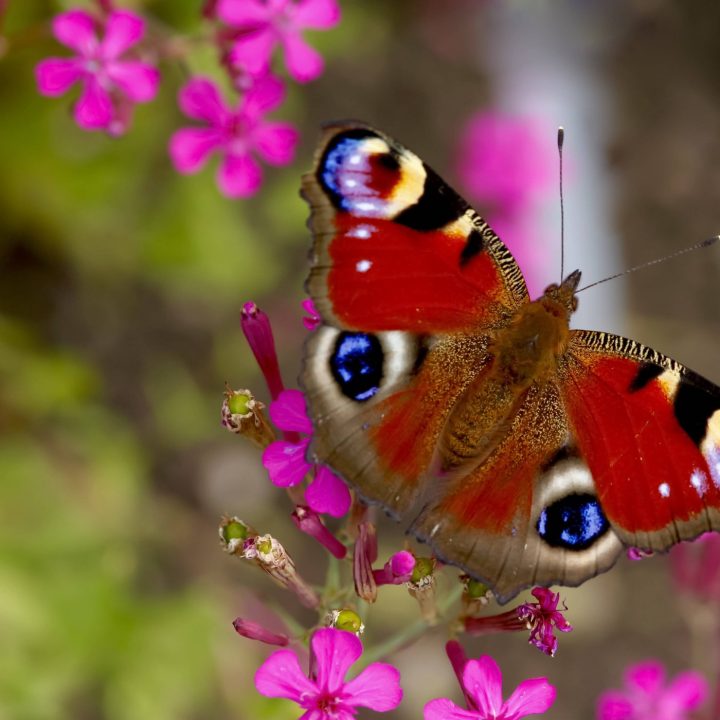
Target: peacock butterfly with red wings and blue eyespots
{"x":522,"y":451}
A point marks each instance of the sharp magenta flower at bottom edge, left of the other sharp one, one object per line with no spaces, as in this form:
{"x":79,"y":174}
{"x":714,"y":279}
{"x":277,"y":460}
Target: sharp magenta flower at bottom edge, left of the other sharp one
{"x":325,"y":694}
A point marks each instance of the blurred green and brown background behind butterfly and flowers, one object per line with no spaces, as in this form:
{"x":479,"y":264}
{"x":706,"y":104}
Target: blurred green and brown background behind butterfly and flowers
{"x":120,"y":288}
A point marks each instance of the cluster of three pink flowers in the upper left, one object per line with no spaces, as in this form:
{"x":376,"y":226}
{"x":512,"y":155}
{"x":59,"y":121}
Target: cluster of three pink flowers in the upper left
{"x":115,"y":65}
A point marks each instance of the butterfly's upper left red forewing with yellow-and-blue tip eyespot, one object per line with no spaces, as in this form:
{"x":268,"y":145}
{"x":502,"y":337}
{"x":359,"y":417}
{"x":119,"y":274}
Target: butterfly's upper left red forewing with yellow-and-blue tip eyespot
{"x":395,"y":248}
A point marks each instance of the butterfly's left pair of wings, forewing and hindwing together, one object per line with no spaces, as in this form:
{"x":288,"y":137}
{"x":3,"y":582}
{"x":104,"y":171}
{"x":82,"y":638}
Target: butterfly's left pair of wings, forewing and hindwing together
{"x":408,"y":281}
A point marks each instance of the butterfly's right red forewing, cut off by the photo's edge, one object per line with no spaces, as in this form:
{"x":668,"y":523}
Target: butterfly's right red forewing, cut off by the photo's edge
{"x":650,"y":432}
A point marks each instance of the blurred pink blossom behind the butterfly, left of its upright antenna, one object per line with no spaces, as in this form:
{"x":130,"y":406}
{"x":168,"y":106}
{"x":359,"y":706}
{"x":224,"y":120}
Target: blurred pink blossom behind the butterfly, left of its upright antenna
{"x":505,"y":165}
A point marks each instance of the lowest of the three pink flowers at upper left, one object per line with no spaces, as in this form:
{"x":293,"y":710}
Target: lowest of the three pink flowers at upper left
{"x":236,"y":134}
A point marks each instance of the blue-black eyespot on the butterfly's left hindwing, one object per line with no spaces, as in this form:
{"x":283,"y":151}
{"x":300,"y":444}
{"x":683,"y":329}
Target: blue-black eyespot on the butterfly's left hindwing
{"x":357,"y":365}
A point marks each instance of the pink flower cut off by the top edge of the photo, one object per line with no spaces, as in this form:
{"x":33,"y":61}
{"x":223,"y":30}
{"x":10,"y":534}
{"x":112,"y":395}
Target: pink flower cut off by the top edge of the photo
{"x":264,"y":24}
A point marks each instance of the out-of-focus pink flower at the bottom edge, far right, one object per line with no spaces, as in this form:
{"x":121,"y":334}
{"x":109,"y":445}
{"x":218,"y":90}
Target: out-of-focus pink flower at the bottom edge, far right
{"x":647,"y":697}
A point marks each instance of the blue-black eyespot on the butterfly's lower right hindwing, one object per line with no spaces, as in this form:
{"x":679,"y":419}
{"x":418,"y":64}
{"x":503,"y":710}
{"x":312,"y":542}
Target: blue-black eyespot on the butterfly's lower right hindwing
{"x":574,"y":522}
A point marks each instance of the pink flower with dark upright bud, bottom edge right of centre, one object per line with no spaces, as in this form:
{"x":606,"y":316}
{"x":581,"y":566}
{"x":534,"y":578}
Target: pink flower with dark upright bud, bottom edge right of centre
{"x":481,"y":682}
